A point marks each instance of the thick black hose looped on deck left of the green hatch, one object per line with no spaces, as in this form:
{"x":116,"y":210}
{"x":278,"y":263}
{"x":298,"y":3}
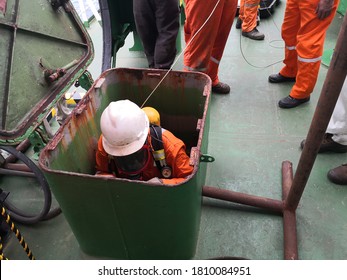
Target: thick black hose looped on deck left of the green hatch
{"x":17,"y":214}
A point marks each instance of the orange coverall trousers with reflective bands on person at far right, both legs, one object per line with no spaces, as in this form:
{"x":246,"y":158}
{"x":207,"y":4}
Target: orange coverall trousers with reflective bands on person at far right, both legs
{"x":304,"y":34}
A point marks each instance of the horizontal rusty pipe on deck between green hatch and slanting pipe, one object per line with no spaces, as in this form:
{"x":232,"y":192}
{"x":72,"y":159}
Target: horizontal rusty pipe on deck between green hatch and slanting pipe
{"x":242,"y":198}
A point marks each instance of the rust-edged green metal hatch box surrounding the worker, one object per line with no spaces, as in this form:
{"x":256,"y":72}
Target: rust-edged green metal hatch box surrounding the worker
{"x":120,"y":218}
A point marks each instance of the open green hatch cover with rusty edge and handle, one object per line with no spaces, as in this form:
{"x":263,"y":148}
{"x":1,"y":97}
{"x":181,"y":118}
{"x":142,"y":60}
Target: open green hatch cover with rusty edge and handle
{"x":44,"y":48}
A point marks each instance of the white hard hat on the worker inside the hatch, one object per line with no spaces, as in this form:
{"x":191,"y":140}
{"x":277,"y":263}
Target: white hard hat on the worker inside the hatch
{"x":124,"y":127}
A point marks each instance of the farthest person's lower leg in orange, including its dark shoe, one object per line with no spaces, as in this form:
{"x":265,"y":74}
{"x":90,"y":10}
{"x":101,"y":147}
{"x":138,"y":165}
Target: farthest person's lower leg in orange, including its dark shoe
{"x":249,"y":23}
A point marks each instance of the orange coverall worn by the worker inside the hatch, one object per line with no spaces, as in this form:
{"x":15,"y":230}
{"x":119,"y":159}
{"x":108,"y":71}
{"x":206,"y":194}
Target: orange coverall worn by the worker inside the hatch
{"x":175,"y":156}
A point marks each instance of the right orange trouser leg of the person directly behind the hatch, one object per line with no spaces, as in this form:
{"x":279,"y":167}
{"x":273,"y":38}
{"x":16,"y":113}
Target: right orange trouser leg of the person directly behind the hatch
{"x":227,"y":18}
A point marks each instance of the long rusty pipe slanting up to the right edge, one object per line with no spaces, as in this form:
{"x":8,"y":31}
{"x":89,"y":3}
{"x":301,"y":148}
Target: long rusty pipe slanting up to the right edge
{"x":330,"y":92}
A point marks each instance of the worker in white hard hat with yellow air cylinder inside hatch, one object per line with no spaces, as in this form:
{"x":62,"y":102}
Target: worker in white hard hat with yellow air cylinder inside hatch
{"x":133,"y":147}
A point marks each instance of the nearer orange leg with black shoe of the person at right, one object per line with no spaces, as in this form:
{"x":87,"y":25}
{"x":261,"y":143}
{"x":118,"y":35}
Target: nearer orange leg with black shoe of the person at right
{"x":309,"y":48}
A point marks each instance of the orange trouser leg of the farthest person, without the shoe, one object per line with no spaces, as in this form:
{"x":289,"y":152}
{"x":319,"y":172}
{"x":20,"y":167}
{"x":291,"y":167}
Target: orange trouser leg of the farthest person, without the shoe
{"x":248,"y":14}
